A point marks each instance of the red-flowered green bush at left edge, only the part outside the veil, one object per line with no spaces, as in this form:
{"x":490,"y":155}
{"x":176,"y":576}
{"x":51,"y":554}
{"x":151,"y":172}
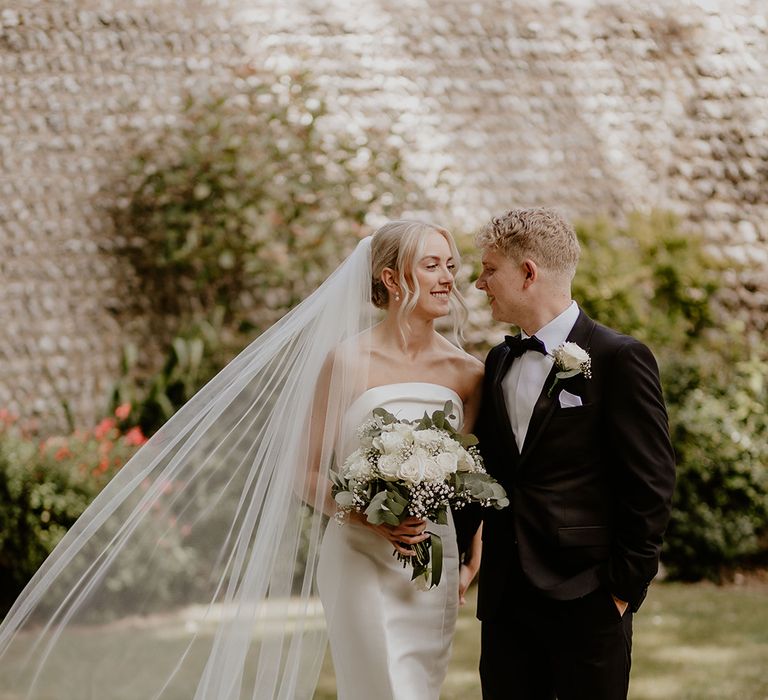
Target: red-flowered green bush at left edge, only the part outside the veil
{"x":45,"y":484}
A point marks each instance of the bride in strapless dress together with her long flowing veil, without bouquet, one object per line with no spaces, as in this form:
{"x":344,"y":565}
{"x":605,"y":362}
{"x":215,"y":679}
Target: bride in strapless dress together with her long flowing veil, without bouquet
{"x":195,"y":573}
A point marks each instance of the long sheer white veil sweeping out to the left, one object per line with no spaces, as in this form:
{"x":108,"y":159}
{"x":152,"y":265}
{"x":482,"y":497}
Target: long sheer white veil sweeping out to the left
{"x":192,"y":575}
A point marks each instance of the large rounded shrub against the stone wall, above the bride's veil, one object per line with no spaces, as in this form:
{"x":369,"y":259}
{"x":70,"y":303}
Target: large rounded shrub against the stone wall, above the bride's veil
{"x":252,"y":196}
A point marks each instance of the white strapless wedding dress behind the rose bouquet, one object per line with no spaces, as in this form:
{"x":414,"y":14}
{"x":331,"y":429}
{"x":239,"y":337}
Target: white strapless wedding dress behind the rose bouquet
{"x":389,"y":640}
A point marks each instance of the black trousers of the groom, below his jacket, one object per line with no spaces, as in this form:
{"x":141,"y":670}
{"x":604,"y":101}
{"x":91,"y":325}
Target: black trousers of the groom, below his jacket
{"x":545,"y":649}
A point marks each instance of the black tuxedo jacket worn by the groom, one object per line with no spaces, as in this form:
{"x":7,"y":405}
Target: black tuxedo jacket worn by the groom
{"x":590,"y":491}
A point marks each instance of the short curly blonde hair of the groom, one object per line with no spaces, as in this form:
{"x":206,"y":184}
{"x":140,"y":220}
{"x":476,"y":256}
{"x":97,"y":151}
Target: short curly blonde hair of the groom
{"x":541,"y":234}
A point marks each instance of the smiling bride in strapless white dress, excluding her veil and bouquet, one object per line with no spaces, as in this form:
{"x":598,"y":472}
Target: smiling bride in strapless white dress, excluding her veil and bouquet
{"x":389,"y":639}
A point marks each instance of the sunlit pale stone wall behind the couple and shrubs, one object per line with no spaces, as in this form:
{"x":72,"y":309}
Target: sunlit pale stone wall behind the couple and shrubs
{"x":593,"y":106}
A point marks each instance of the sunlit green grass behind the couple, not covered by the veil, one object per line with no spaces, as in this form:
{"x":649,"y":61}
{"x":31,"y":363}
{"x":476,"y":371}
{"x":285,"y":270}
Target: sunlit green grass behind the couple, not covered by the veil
{"x":691,"y":642}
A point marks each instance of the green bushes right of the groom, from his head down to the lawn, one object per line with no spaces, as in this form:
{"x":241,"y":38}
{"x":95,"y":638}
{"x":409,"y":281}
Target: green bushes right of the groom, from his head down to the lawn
{"x":653,"y":281}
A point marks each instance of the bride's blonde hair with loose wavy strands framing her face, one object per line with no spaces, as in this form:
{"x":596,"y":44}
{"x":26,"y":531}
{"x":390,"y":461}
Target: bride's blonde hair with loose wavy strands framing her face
{"x":399,"y":245}
